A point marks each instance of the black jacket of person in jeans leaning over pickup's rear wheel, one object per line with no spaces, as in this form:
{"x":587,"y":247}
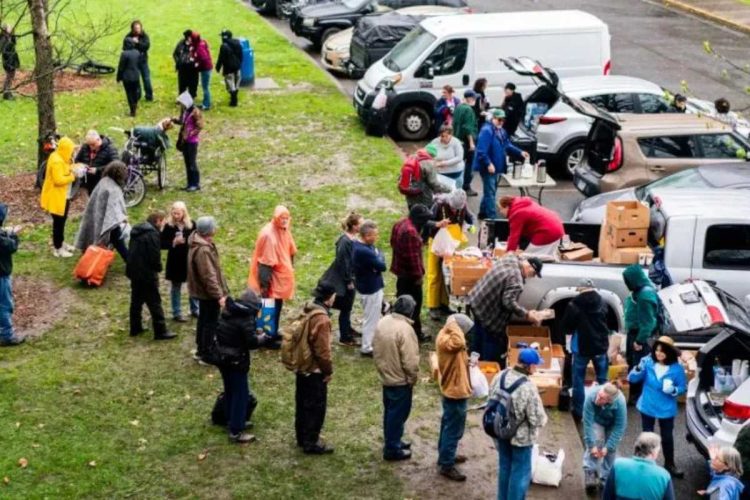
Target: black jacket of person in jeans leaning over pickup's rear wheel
{"x":587,"y":315}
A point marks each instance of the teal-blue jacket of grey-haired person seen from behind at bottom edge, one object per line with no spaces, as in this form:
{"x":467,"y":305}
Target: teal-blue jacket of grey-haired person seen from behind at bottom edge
{"x":638,"y":479}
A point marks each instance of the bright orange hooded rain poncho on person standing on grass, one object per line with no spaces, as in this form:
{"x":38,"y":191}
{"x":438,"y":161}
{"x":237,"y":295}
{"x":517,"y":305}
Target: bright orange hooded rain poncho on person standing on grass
{"x":275,"y":248}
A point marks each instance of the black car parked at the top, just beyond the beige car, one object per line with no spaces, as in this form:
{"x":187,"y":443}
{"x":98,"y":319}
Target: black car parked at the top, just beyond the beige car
{"x":316,"y":21}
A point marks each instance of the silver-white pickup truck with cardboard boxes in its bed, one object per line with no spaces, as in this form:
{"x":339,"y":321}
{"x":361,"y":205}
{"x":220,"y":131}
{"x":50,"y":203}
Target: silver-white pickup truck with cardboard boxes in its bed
{"x":707,"y":238}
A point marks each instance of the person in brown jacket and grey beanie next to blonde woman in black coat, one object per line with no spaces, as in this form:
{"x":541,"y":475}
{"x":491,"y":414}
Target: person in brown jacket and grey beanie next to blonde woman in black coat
{"x":205,"y":281}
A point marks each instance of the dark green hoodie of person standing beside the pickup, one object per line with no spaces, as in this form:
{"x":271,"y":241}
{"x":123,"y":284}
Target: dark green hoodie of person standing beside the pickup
{"x":643,"y":316}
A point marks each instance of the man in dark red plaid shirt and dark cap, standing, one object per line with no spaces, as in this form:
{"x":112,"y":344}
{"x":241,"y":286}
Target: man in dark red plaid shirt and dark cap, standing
{"x":408,"y":263}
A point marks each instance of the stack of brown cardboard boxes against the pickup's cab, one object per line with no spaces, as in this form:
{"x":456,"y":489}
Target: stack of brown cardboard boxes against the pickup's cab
{"x":623,"y":239}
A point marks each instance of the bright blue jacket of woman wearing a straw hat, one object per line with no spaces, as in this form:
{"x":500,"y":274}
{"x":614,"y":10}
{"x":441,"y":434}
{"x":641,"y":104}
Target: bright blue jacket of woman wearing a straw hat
{"x":654,"y":402}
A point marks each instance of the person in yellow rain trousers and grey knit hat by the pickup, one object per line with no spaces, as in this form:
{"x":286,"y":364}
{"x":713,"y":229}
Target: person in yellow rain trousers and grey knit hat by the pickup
{"x":449,"y":211}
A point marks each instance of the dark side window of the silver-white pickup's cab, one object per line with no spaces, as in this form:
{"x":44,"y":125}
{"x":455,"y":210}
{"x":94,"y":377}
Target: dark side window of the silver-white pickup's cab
{"x":727,"y":246}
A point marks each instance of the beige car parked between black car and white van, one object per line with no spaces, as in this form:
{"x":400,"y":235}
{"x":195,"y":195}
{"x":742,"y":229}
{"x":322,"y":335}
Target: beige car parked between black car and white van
{"x":335,"y":53}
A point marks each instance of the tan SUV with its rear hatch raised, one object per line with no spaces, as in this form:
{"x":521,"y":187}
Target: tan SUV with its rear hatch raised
{"x":649,"y":147}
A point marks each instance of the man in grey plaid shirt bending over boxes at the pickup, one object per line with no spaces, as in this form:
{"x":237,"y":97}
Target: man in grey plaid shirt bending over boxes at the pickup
{"x":494,"y":300}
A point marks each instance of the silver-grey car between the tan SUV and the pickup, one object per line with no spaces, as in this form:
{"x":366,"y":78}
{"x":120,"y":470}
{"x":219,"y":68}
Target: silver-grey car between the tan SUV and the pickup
{"x":720,"y":176}
